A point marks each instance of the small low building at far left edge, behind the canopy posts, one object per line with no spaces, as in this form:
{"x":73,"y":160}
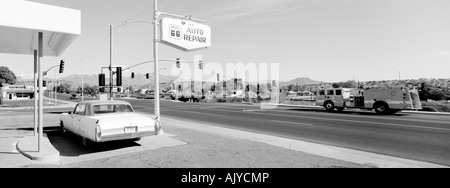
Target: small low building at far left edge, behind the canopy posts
{"x":17,"y":92}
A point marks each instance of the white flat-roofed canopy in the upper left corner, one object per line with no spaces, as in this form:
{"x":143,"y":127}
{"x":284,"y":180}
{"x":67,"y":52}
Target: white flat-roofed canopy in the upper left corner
{"x":21,"y":21}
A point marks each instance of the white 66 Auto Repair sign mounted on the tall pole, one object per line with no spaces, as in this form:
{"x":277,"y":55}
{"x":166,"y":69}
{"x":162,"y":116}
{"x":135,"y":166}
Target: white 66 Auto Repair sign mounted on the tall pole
{"x":185,"y":35}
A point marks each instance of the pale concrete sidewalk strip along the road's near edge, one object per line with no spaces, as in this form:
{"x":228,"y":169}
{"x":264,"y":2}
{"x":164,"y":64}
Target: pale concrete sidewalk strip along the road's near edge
{"x":339,"y":153}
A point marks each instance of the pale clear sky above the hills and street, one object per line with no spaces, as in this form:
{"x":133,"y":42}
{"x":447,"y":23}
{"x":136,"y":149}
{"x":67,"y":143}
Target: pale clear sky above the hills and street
{"x":327,"y":40}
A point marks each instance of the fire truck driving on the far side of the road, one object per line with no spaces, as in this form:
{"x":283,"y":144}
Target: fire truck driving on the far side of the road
{"x":384,"y":100}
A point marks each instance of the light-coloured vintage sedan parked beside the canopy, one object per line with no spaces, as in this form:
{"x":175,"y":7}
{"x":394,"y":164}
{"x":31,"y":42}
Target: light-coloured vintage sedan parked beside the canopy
{"x":102,"y":121}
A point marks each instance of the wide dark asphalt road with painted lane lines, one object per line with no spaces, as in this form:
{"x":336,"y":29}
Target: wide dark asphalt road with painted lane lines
{"x":412,"y":136}
